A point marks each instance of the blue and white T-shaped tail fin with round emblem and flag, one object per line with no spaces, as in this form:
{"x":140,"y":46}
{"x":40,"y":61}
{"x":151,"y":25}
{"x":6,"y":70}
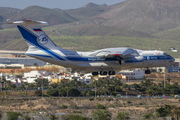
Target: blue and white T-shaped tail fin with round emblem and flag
{"x":34,"y":35}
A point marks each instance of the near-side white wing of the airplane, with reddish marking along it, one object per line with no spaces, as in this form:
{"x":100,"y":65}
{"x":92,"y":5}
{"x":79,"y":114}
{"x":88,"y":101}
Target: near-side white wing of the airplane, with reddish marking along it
{"x":119,"y":54}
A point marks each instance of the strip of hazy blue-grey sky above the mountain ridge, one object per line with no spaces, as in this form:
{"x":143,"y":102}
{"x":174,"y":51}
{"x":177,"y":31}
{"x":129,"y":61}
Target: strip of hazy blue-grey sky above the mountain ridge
{"x":62,"y":4}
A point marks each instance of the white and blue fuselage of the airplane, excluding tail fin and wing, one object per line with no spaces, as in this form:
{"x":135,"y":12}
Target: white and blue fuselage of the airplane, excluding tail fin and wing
{"x":86,"y":61}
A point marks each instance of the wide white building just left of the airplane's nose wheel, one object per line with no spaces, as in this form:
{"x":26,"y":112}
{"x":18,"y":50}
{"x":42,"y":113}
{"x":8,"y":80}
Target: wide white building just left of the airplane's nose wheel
{"x":132,"y":75}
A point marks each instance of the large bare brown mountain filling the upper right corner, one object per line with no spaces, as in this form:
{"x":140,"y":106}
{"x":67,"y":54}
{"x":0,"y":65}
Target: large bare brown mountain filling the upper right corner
{"x":145,"y":15}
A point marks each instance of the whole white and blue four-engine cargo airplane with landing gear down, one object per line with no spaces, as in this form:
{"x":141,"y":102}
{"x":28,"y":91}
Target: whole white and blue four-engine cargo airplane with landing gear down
{"x":103,"y":61}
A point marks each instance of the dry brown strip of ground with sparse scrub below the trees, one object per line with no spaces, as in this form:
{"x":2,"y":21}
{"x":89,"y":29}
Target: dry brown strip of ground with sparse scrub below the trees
{"x":85,"y":106}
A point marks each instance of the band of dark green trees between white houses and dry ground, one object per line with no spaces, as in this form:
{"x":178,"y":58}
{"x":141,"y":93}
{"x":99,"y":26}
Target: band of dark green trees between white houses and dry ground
{"x":105,"y":87}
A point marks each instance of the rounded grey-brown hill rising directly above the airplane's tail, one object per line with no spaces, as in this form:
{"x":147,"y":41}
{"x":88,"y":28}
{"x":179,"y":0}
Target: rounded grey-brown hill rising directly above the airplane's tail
{"x":52,"y":16}
